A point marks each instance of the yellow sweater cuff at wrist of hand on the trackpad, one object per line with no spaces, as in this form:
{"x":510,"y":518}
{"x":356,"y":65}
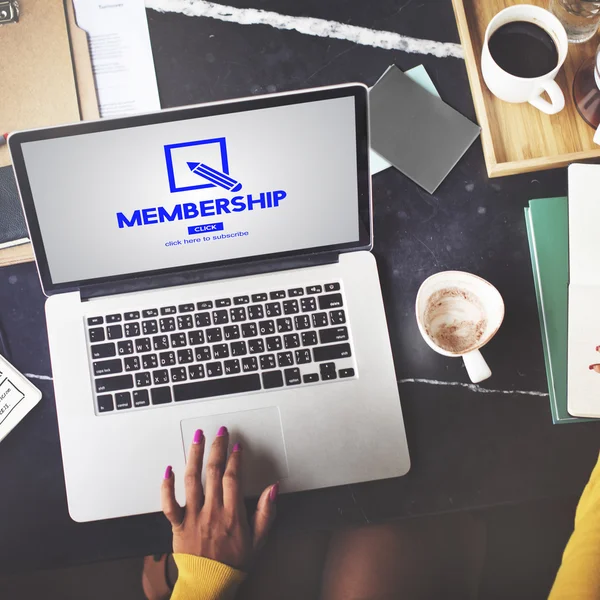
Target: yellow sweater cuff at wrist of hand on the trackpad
{"x":205,"y":579}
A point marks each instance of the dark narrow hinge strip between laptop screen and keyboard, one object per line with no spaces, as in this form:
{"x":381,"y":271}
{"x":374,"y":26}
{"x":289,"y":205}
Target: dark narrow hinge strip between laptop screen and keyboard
{"x":152,"y":282}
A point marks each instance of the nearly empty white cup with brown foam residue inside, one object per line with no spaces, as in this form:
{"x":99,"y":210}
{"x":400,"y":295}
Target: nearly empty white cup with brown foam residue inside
{"x":458,"y":313}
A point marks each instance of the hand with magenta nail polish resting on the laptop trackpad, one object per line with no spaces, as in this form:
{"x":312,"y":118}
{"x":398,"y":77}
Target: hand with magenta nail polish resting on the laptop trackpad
{"x":214,"y":523}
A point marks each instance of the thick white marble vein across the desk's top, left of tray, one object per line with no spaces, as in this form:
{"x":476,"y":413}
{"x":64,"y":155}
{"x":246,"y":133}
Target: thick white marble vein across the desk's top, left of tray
{"x":387,"y":40}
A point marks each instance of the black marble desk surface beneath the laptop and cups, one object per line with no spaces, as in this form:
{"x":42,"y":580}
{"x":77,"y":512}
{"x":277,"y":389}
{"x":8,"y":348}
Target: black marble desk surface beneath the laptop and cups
{"x":469,"y":449}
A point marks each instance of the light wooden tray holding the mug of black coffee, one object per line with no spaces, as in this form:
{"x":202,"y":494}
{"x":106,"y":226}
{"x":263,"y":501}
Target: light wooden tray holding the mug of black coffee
{"x":518,"y":138}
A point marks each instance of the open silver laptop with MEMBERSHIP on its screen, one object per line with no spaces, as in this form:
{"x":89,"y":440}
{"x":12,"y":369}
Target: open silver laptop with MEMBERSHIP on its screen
{"x":206,"y":266}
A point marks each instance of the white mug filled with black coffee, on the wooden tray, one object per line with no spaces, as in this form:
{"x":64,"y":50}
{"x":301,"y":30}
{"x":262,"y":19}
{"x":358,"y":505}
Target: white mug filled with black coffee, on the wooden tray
{"x":511,"y":88}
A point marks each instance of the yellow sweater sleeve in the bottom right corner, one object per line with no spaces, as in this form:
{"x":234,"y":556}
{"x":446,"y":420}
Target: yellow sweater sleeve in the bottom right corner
{"x":579,"y":575}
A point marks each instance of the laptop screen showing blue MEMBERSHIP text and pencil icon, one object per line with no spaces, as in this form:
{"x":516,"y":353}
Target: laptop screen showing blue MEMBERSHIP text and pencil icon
{"x":192,"y":191}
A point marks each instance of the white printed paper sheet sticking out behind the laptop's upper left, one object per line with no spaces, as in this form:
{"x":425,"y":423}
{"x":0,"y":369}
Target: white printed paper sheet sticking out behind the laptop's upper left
{"x":121,"y":55}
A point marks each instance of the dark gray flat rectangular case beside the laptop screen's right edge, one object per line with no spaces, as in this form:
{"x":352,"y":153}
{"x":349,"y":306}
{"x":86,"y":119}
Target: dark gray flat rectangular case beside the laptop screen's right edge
{"x":418,"y":133}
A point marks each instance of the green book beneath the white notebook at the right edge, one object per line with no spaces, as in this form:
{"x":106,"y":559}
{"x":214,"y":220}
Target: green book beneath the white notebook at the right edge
{"x":547,"y":223}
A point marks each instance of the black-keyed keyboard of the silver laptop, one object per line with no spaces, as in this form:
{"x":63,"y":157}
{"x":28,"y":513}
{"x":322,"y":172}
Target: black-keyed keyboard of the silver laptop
{"x":202,"y":350}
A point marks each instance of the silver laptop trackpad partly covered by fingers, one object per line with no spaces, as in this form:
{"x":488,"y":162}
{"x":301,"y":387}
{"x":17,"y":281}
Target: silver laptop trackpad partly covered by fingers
{"x":261,"y":435}
